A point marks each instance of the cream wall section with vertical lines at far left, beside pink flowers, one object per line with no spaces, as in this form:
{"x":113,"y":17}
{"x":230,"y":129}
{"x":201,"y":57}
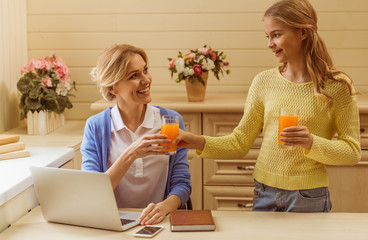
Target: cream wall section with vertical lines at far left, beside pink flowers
{"x":13,"y":54}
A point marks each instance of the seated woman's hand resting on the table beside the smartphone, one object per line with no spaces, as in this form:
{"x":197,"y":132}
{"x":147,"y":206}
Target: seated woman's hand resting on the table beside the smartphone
{"x":153,"y":214}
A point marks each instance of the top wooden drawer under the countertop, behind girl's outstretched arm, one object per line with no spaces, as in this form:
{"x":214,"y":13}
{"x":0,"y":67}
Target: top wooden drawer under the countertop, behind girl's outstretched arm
{"x":221,"y":124}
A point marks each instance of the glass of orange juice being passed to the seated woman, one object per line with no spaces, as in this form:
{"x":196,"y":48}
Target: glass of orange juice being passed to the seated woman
{"x":170,"y":127}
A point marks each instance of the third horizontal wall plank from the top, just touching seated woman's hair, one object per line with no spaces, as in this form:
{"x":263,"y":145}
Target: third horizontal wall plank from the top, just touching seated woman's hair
{"x":179,"y":40}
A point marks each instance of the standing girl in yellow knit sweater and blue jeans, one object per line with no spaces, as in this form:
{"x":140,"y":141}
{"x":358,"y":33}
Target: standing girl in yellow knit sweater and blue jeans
{"x":293,"y":180}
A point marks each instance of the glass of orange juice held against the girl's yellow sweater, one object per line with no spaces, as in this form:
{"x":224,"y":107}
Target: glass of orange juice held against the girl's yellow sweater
{"x":287,"y":118}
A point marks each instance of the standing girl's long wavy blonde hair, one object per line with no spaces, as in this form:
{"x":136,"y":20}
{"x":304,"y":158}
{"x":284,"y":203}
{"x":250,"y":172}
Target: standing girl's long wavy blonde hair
{"x":300,"y":14}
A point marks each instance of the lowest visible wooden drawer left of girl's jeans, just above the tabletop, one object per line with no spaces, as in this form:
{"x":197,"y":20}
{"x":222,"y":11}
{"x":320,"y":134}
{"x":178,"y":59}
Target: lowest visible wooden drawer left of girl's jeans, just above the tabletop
{"x":228,"y":198}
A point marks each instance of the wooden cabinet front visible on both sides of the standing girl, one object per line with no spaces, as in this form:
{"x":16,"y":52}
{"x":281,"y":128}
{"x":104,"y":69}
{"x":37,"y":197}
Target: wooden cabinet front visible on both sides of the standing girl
{"x":228,"y":184}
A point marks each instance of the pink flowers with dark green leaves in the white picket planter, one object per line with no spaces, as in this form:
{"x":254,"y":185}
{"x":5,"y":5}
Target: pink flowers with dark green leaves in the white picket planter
{"x":44,"y":86}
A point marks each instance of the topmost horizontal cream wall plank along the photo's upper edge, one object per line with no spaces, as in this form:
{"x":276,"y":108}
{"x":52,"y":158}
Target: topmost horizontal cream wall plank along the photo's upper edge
{"x":167,"y":6}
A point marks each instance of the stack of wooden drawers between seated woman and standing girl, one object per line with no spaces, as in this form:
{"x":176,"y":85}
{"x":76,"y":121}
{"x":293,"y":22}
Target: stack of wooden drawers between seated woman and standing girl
{"x":228,"y":184}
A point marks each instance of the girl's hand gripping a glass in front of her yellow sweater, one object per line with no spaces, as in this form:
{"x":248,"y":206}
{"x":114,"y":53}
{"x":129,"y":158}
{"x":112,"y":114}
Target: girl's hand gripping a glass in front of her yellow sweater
{"x":297,"y":136}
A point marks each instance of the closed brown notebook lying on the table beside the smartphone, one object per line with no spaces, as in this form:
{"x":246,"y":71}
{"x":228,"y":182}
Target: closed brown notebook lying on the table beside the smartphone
{"x":191,"y":220}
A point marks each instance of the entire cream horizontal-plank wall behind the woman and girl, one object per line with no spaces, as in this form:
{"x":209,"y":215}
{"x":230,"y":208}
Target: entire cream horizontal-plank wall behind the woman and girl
{"x":79,"y":30}
